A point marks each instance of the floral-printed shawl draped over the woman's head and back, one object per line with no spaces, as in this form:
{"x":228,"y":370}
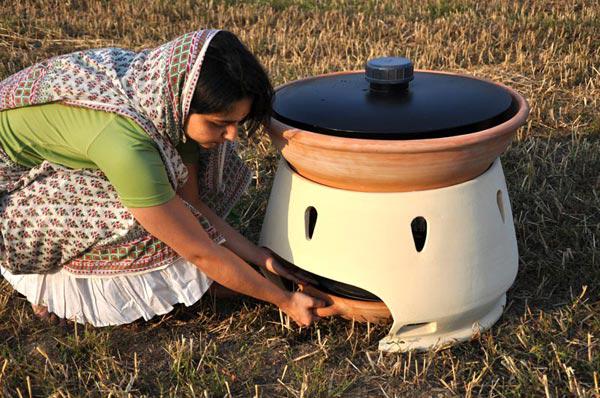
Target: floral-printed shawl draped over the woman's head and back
{"x":153,"y":87}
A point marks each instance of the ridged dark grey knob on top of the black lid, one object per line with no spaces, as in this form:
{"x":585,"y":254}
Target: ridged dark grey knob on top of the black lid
{"x":389,"y":71}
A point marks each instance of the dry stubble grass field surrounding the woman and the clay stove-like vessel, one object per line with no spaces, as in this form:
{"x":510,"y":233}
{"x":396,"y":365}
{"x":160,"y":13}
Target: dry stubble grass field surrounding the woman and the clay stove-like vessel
{"x":547,"y":343}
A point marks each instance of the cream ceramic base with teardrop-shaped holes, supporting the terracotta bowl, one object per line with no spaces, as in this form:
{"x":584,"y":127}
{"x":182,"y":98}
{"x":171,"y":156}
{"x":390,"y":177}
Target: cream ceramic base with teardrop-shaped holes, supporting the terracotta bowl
{"x":451,"y":289}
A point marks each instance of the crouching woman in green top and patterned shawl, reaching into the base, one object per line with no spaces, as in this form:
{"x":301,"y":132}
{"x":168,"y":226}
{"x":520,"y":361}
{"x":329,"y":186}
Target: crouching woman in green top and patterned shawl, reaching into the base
{"x":103,"y":156}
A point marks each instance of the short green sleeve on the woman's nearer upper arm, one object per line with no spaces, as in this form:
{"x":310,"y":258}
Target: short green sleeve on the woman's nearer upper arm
{"x":132,"y":164}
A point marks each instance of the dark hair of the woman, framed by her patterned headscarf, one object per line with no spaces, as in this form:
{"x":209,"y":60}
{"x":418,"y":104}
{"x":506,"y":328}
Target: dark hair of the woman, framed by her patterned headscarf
{"x":230,"y":72}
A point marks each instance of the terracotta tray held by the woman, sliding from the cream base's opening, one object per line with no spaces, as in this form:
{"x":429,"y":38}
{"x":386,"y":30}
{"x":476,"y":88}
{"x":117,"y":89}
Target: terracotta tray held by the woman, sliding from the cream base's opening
{"x":358,"y":310}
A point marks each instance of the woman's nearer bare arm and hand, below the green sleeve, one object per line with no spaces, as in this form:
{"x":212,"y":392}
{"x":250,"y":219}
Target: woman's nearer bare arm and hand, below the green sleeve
{"x":175,"y":225}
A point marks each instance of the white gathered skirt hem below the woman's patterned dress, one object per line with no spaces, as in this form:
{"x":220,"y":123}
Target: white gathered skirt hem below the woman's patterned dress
{"x":115,"y":300}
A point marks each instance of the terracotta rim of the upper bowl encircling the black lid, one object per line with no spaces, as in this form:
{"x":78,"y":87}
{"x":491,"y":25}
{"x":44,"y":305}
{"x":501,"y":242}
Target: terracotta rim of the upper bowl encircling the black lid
{"x":331,"y":142}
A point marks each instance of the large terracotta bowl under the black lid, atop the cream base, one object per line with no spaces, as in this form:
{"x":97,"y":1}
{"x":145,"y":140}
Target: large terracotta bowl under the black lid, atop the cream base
{"x":372,"y":165}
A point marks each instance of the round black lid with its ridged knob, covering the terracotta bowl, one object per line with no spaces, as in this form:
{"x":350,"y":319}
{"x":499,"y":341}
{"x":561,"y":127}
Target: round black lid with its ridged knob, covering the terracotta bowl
{"x":389,"y":101}
